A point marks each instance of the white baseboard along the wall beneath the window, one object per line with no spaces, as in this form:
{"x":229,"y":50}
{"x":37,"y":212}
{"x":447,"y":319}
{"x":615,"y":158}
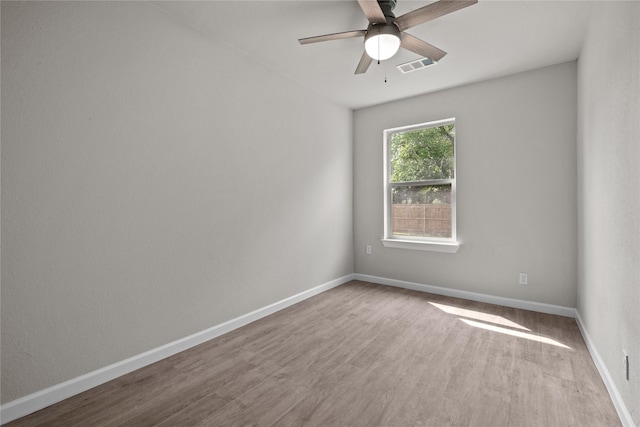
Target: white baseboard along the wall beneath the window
{"x":473,"y":296}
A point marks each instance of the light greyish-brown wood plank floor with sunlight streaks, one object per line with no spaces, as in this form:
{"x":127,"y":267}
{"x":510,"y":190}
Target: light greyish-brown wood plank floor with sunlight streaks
{"x":363,"y":355}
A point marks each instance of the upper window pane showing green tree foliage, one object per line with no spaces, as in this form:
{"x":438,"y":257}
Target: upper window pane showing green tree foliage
{"x":422,"y":154}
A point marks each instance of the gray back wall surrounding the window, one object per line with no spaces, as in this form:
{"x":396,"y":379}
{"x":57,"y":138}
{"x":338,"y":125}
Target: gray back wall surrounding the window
{"x":516,"y":187}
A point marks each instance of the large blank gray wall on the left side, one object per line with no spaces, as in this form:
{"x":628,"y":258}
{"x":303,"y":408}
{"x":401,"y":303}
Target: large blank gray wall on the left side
{"x":154,"y":183}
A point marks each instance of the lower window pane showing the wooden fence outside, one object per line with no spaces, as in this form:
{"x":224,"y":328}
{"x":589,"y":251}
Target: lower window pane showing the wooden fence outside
{"x":421,"y":211}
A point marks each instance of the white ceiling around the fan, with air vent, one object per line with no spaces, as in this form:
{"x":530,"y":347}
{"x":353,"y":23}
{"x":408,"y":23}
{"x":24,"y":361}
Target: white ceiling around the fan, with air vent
{"x":486,"y":40}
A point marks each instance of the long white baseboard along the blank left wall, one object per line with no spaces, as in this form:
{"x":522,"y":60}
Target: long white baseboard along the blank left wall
{"x":41,"y":399}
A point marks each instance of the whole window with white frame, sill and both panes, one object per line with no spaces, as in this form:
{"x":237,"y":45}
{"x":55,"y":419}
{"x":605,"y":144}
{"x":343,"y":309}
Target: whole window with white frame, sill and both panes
{"x":420,"y":187}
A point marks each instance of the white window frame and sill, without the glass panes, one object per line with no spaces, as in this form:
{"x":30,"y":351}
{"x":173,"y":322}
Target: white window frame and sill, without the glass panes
{"x":449,"y":245}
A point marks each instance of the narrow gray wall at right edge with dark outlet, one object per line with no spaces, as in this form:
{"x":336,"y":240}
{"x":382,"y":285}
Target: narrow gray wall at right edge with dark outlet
{"x":609,"y":191}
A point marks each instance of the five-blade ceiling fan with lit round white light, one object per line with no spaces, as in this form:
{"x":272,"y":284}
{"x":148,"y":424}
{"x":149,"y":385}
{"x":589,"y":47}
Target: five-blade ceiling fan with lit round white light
{"x":386,"y":33}
